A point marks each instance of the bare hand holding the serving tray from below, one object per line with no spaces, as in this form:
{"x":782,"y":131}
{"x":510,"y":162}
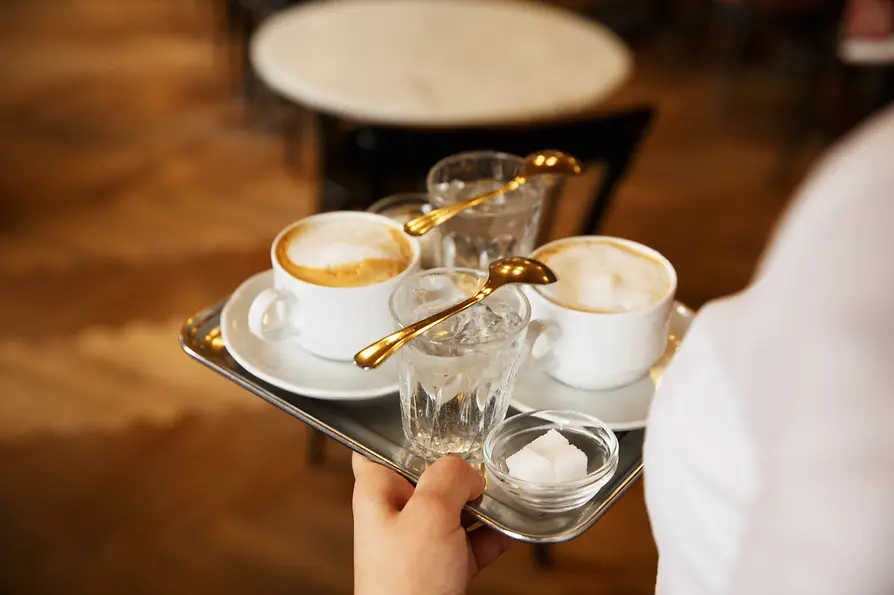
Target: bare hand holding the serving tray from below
{"x":410,"y":541}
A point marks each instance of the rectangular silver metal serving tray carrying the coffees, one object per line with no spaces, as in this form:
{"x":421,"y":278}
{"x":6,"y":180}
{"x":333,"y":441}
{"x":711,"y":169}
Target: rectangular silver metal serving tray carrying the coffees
{"x":373,"y":428}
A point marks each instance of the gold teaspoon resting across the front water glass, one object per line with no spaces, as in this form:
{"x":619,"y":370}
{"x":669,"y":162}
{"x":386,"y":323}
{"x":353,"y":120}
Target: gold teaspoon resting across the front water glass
{"x":516,"y":269}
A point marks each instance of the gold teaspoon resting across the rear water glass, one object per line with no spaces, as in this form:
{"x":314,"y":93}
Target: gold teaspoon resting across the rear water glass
{"x":542,"y":162}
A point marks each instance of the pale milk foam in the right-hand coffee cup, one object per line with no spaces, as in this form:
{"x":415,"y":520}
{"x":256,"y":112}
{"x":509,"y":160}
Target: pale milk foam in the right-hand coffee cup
{"x":602,"y":276}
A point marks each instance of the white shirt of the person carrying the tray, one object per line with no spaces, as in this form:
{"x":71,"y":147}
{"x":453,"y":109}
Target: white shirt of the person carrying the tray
{"x":769,"y":454}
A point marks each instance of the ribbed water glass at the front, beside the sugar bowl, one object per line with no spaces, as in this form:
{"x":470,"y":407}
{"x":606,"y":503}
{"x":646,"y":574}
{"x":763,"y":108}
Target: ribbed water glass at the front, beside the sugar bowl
{"x":456,"y":379}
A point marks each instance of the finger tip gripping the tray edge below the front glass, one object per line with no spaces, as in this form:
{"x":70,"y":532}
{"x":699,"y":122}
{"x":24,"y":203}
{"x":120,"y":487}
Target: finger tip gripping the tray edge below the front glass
{"x":450,"y":483}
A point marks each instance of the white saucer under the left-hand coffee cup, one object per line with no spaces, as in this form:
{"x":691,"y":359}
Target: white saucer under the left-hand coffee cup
{"x":288,"y":366}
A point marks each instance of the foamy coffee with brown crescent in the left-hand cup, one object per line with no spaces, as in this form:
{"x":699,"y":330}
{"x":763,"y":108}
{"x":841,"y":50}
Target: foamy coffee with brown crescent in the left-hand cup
{"x":343,"y":253}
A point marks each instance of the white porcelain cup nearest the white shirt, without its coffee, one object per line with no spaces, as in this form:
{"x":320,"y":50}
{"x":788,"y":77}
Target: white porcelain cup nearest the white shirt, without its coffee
{"x":595,"y":350}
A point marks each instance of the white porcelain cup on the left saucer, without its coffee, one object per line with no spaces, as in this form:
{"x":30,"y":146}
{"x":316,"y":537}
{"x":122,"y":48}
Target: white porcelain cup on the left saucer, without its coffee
{"x":330,"y":322}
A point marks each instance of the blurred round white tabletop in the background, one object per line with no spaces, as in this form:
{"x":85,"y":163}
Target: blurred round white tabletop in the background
{"x":439,"y":62}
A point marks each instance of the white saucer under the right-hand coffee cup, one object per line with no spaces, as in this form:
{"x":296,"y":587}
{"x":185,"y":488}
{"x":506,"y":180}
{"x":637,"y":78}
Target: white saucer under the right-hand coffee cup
{"x":623,"y":408}
